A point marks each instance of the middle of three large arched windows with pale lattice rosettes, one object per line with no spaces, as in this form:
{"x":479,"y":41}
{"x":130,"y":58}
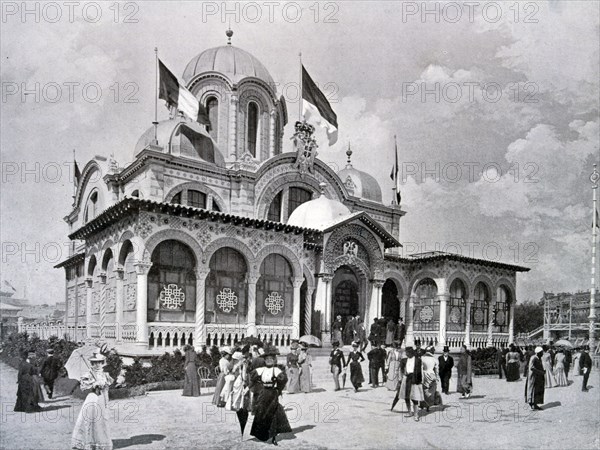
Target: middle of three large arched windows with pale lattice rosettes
{"x":226,"y":287}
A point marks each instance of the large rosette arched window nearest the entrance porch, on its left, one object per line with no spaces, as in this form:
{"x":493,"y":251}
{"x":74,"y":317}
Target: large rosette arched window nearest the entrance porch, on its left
{"x":274,"y":292}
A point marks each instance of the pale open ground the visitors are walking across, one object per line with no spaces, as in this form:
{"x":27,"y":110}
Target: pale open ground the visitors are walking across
{"x":494,"y":417}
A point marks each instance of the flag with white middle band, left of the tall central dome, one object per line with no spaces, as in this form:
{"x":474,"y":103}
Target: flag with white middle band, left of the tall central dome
{"x":177,"y":96}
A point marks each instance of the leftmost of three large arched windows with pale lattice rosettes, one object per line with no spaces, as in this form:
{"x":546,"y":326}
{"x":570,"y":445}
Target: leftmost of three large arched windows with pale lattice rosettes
{"x":172,"y":283}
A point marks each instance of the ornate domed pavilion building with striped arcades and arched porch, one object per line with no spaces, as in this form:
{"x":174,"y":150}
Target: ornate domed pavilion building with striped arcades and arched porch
{"x":209,"y":236}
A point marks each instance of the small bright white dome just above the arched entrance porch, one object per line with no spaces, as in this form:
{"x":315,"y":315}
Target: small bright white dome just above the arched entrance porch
{"x":318,"y":213}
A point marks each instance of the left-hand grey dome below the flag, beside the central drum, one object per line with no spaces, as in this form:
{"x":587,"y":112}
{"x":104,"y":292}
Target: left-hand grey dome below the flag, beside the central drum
{"x":182,"y":138}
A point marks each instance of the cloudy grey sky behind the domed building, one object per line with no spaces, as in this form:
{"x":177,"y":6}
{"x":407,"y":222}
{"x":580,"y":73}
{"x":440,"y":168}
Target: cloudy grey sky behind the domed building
{"x":495,"y":108}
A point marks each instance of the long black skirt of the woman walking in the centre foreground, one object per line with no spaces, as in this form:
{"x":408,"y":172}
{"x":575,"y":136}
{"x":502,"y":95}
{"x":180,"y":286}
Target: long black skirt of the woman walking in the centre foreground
{"x":269,"y":416}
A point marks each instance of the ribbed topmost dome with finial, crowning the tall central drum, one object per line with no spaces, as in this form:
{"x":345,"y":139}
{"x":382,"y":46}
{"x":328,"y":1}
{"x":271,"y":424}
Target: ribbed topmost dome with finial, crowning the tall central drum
{"x":233,"y":62}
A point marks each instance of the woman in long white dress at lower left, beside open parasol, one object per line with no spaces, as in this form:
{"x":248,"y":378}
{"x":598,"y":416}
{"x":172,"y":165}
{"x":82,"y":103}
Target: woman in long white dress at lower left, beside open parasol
{"x":91,"y":428}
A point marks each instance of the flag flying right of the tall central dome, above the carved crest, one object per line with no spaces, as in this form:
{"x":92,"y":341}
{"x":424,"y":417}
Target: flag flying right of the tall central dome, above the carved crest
{"x":316,"y":106}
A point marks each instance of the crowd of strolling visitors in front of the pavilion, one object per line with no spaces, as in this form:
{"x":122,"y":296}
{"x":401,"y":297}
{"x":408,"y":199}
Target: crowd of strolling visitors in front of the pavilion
{"x":251,"y":382}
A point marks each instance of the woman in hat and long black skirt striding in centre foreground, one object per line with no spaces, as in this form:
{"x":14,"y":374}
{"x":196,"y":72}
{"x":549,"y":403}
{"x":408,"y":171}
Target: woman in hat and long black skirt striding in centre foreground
{"x":269,"y":415}
